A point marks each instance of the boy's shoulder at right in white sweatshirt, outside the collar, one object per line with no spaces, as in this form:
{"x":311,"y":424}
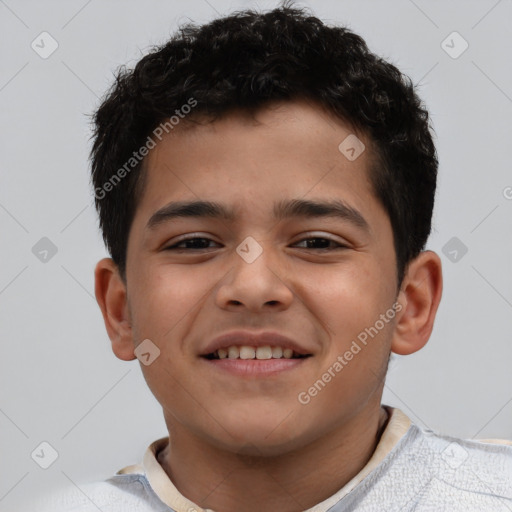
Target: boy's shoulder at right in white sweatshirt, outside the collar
{"x":427,"y":471}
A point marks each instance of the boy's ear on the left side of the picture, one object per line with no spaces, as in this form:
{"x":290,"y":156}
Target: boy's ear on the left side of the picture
{"x":110,"y":291}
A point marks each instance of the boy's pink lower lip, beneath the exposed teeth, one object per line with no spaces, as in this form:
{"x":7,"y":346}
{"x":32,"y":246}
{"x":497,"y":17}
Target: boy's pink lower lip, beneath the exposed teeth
{"x":256,"y":367}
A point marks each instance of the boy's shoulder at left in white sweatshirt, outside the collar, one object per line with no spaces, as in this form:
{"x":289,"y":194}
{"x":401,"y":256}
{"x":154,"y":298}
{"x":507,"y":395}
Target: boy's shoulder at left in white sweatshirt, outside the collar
{"x":120,"y":493}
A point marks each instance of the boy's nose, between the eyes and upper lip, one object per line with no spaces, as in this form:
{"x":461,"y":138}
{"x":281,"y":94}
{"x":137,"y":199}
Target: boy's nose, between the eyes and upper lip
{"x":256,"y":285}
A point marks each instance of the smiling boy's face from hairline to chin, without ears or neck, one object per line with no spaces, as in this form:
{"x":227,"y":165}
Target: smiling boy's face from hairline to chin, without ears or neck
{"x":320,"y":280}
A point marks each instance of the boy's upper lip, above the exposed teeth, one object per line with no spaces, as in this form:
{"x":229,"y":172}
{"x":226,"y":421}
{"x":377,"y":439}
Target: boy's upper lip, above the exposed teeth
{"x":252,"y":339}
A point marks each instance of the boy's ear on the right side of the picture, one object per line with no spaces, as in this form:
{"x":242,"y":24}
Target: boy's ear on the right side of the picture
{"x":420,"y":295}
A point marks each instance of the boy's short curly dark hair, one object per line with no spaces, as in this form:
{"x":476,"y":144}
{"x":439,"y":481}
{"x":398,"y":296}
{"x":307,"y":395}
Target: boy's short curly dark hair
{"x":245,"y":61}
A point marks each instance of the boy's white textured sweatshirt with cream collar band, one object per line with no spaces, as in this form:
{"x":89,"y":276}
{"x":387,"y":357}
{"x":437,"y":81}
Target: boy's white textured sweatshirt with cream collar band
{"x":412,"y":469}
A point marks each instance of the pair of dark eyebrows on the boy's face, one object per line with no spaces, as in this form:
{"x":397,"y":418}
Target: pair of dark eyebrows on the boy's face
{"x":283,"y":209}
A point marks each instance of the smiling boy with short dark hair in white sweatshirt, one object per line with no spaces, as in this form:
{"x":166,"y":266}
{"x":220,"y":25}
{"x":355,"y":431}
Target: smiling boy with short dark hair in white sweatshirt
{"x":305,"y":166}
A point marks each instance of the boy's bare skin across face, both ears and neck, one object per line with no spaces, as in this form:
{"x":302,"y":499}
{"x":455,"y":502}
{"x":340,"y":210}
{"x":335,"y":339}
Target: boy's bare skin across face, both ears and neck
{"x":249,"y":444}
